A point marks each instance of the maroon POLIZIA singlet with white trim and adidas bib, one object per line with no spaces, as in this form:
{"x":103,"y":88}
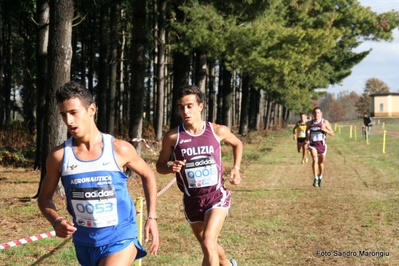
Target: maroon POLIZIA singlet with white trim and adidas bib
{"x":203,"y":172}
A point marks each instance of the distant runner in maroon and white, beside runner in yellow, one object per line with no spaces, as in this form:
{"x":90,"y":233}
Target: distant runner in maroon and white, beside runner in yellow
{"x":316,"y":132}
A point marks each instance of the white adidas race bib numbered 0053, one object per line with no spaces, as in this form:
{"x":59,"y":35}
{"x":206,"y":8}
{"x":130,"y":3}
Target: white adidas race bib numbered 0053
{"x":95,"y":207}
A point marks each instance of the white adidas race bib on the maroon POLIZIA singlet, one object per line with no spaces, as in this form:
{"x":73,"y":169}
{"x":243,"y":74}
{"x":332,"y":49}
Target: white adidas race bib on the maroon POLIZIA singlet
{"x":201,"y":172}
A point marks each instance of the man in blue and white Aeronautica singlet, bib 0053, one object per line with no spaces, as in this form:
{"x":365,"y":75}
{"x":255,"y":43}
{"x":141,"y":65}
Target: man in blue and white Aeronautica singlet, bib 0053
{"x":89,"y":164}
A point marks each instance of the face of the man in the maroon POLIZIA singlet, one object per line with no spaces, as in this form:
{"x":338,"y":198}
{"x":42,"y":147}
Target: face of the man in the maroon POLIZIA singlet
{"x":190,"y":109}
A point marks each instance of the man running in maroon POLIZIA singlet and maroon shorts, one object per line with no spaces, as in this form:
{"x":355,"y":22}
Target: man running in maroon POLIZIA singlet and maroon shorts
{"x":197,"y":164}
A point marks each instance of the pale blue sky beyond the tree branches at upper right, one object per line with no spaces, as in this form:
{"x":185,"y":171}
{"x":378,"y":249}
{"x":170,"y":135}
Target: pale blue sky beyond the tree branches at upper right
{"x":382,"y":62}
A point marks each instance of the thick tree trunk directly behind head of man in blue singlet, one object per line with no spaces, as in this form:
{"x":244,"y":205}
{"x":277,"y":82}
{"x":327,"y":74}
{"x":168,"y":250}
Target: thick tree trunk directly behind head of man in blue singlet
{"x":59,"y":68}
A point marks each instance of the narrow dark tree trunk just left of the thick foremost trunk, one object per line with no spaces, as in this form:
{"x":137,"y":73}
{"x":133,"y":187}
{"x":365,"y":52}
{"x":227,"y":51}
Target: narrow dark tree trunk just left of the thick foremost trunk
{"x":43,"y":18}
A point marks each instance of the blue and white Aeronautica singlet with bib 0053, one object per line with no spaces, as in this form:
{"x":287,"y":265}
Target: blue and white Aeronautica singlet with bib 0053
{"x":97,"y":197}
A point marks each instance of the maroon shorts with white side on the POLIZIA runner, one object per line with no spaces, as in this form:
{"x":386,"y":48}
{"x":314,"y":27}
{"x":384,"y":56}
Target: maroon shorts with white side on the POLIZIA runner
{"x":196,"y":207}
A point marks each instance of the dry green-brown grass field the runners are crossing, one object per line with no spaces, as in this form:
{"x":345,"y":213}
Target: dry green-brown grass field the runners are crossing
{"x":277,"y":216}
